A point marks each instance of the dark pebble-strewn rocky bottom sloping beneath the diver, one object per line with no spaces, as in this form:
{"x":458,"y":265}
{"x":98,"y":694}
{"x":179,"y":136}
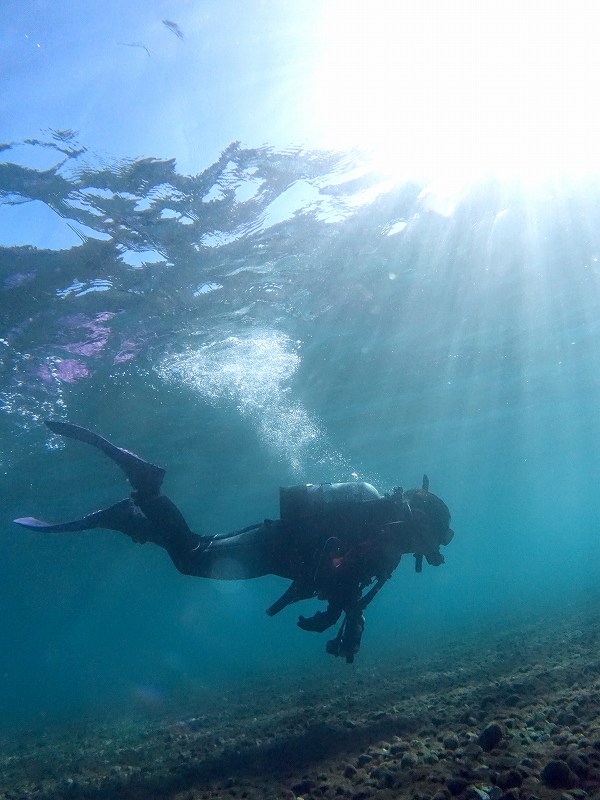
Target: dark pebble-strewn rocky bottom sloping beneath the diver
{"x":497,"y":717}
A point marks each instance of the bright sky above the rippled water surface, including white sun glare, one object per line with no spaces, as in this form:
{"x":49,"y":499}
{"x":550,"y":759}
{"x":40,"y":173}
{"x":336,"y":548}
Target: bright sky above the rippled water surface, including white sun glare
{"x":431,"y":89}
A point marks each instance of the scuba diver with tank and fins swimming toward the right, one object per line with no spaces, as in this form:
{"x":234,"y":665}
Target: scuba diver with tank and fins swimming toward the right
{"x":339,"y":542}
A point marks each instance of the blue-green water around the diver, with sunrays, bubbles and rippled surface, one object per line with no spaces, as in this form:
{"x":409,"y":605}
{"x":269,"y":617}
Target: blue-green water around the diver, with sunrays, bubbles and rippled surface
{"x":284,"y":317}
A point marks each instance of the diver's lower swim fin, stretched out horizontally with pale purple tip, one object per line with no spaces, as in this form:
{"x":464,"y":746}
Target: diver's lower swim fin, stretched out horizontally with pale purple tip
{"x":124,"y":516}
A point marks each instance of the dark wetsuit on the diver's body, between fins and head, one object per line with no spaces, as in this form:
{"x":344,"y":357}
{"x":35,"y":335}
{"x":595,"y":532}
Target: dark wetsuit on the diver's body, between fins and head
{"x":332,"y":550}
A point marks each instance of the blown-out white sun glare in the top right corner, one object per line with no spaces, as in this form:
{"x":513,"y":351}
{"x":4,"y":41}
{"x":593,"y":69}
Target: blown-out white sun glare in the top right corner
{"x":456,"y":90}
